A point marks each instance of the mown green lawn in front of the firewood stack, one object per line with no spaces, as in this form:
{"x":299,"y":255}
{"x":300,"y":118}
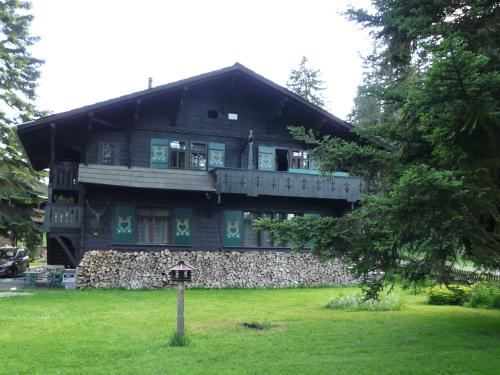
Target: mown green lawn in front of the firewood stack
{"x":127,"y":332}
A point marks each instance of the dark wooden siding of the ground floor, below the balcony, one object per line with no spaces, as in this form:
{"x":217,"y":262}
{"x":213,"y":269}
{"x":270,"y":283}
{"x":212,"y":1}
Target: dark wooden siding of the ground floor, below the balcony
{"x":207,"y":215}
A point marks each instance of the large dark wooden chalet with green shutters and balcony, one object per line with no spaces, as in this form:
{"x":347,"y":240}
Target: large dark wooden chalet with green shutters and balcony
{"x":185,"y":165}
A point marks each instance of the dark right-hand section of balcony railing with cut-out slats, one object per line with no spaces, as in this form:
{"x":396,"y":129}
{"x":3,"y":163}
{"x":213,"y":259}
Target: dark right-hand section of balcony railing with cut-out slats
{"x":256,"y":182}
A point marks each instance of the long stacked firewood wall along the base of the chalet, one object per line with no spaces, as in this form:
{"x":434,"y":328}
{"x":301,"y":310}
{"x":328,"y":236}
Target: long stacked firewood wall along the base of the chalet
{"x":252,"y":269}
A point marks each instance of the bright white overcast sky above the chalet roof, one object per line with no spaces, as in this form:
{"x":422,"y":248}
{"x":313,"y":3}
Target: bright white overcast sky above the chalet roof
{"x":100,"y":49}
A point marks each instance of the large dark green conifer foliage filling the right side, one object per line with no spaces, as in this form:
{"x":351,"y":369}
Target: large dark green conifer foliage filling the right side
{"x":432,"y":159}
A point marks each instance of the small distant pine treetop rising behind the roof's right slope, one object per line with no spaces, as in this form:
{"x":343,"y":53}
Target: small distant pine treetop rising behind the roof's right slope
{"x":306,"y":82}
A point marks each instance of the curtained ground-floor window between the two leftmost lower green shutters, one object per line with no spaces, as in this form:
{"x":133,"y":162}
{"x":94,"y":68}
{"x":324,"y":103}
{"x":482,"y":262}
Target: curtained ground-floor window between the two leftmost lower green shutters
{"x":153,"y":225}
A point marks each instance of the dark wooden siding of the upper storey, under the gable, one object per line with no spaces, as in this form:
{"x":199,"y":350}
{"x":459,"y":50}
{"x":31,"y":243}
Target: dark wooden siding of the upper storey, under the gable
{"x":193,"y":124}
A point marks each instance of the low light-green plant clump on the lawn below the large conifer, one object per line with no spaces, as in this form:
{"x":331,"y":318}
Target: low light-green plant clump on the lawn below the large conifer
{"x":390,"y":302}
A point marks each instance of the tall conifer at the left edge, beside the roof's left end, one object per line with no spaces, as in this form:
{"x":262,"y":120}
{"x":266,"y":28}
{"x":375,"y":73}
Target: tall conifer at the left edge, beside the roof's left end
{"x":18,"y":76}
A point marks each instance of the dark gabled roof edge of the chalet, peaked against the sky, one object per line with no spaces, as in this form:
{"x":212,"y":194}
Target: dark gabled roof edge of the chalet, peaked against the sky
{"x":237,"y":67}
